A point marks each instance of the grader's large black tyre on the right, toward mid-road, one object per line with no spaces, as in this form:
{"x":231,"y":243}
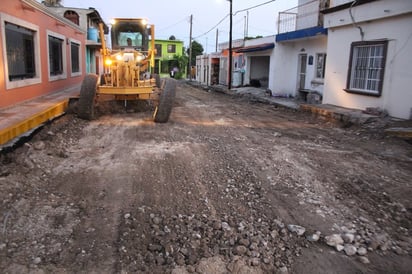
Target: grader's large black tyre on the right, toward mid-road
{"x":167,"y":96}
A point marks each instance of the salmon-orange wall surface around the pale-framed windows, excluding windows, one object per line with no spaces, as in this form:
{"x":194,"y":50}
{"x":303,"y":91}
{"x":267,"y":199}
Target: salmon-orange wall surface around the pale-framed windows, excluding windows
{"x":45,"y":23}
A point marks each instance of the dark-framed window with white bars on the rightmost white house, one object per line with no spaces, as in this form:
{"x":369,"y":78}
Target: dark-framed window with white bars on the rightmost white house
{"x":367,"y":67}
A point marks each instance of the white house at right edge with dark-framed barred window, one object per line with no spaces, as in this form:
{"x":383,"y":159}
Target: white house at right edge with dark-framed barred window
{"x":369,"y":55}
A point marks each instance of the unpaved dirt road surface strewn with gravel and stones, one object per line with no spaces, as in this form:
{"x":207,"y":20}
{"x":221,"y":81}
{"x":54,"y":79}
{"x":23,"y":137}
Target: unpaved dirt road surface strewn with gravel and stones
{"x":225,"y":187}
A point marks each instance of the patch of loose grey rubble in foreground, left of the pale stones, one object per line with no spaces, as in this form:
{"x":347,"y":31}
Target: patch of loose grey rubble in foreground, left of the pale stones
{"x":183,"y":240}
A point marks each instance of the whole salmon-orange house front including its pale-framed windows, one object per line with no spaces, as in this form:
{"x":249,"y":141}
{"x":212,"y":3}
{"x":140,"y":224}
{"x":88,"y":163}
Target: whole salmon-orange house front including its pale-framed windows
{"x":40,"y":52}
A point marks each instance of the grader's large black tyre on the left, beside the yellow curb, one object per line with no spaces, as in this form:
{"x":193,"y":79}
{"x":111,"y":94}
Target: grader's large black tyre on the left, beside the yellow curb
{"x":87,"y":97}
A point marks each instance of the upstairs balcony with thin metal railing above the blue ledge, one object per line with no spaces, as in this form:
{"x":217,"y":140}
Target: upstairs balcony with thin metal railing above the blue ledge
{"x":301,"y":17}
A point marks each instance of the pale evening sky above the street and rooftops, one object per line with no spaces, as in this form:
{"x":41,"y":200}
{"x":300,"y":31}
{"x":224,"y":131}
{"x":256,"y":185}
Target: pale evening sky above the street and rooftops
{"x":173,"y":17}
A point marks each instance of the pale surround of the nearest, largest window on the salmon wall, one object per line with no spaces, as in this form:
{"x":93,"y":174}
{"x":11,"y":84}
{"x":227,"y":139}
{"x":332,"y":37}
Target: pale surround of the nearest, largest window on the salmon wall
{"x":36,"y":42}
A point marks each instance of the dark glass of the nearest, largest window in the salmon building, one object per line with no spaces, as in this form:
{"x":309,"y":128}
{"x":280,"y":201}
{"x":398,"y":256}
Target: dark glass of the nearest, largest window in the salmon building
{"x":20,"y":52}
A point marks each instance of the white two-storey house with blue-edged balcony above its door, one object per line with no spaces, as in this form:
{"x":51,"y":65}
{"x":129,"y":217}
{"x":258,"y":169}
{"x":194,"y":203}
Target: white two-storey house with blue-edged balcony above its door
{"x":300,"y":52}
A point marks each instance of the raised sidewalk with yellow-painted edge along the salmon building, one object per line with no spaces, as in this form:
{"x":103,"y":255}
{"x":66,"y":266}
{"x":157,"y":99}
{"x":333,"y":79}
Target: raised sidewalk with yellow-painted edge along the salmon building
{"x":25,"y":117}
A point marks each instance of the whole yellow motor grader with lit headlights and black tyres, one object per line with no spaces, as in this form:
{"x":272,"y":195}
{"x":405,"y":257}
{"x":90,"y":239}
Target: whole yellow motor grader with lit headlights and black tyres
{"x":128,"y":68}
